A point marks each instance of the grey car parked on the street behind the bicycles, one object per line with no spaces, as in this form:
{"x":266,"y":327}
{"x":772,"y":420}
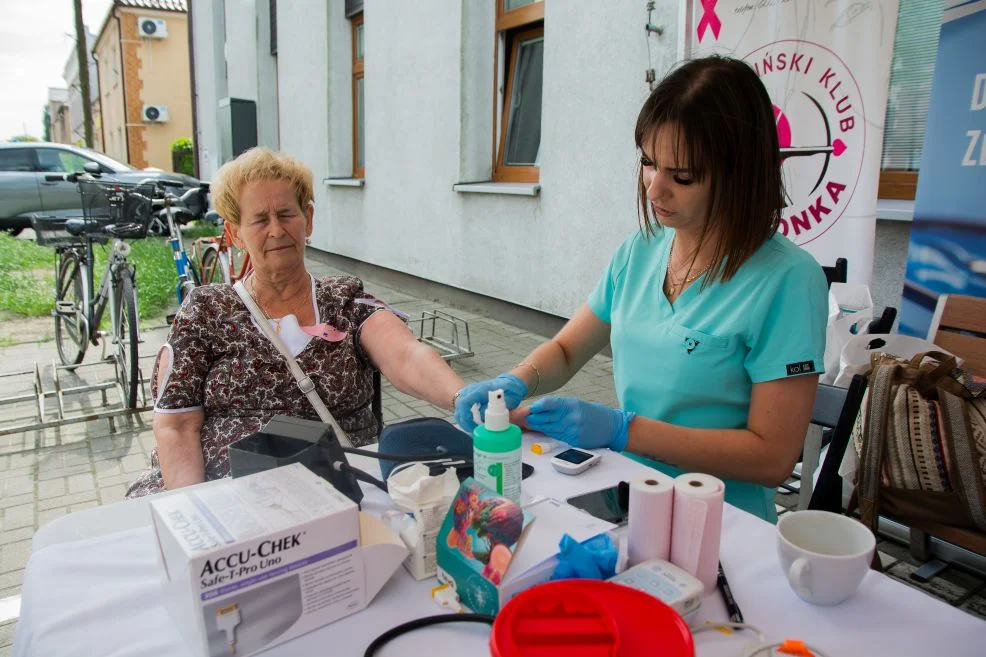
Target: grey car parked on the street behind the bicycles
{"x":24,"y":190}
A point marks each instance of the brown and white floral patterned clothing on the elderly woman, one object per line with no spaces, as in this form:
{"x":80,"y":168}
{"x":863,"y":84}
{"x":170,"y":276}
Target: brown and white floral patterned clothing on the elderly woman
{"x":223,"y":365}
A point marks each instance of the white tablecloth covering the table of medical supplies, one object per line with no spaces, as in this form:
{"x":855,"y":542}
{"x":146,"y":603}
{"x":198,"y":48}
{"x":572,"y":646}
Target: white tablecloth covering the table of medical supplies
{"x":101,"y":596}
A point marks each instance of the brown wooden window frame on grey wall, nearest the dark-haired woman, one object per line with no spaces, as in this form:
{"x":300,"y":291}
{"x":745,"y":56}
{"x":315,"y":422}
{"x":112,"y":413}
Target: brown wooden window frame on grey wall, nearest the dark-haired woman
{"x":518,"y":25}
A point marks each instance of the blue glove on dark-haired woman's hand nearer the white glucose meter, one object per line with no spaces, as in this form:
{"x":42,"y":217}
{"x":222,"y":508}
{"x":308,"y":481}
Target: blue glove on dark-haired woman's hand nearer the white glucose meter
{"x":580,"y":423}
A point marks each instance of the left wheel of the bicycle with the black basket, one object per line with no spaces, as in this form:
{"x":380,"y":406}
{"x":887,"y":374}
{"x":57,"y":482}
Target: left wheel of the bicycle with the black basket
{"x":71,"y":328}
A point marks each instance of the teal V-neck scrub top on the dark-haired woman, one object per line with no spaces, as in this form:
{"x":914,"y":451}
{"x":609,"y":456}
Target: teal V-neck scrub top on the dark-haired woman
{"x":693,"y":363}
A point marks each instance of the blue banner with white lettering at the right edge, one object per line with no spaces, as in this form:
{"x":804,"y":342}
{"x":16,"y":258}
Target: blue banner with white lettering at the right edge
{"x":947,"y":254}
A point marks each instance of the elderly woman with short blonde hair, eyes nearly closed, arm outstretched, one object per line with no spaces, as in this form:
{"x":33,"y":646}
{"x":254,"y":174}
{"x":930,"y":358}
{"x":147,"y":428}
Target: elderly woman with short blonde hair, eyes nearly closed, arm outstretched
{"x":219,"y":378}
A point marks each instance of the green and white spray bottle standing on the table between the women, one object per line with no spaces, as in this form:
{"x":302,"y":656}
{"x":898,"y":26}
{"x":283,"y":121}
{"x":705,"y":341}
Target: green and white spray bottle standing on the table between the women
{"x":496,"y":449}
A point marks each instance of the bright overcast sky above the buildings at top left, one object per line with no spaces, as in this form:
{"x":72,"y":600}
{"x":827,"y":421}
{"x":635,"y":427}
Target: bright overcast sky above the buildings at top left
{"x":36,"y":38}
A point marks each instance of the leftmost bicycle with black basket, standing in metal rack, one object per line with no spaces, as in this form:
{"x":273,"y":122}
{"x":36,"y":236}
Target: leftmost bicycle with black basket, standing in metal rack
{"x":120,"y":211}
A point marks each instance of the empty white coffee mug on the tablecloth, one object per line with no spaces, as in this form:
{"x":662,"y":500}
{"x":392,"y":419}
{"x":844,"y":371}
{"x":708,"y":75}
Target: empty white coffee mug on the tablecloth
{"x":824,"y":555}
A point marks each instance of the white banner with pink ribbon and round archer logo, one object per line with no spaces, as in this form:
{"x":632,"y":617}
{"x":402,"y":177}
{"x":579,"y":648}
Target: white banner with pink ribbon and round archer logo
{"x":826,"y":65}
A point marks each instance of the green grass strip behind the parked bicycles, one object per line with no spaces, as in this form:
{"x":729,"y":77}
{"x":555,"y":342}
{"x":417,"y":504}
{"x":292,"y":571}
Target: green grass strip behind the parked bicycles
{"x":27,"y":276}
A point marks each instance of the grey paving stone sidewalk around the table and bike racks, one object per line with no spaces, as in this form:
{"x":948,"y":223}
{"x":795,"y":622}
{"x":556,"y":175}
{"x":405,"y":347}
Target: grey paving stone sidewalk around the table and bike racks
{"x":47,"y":474}
